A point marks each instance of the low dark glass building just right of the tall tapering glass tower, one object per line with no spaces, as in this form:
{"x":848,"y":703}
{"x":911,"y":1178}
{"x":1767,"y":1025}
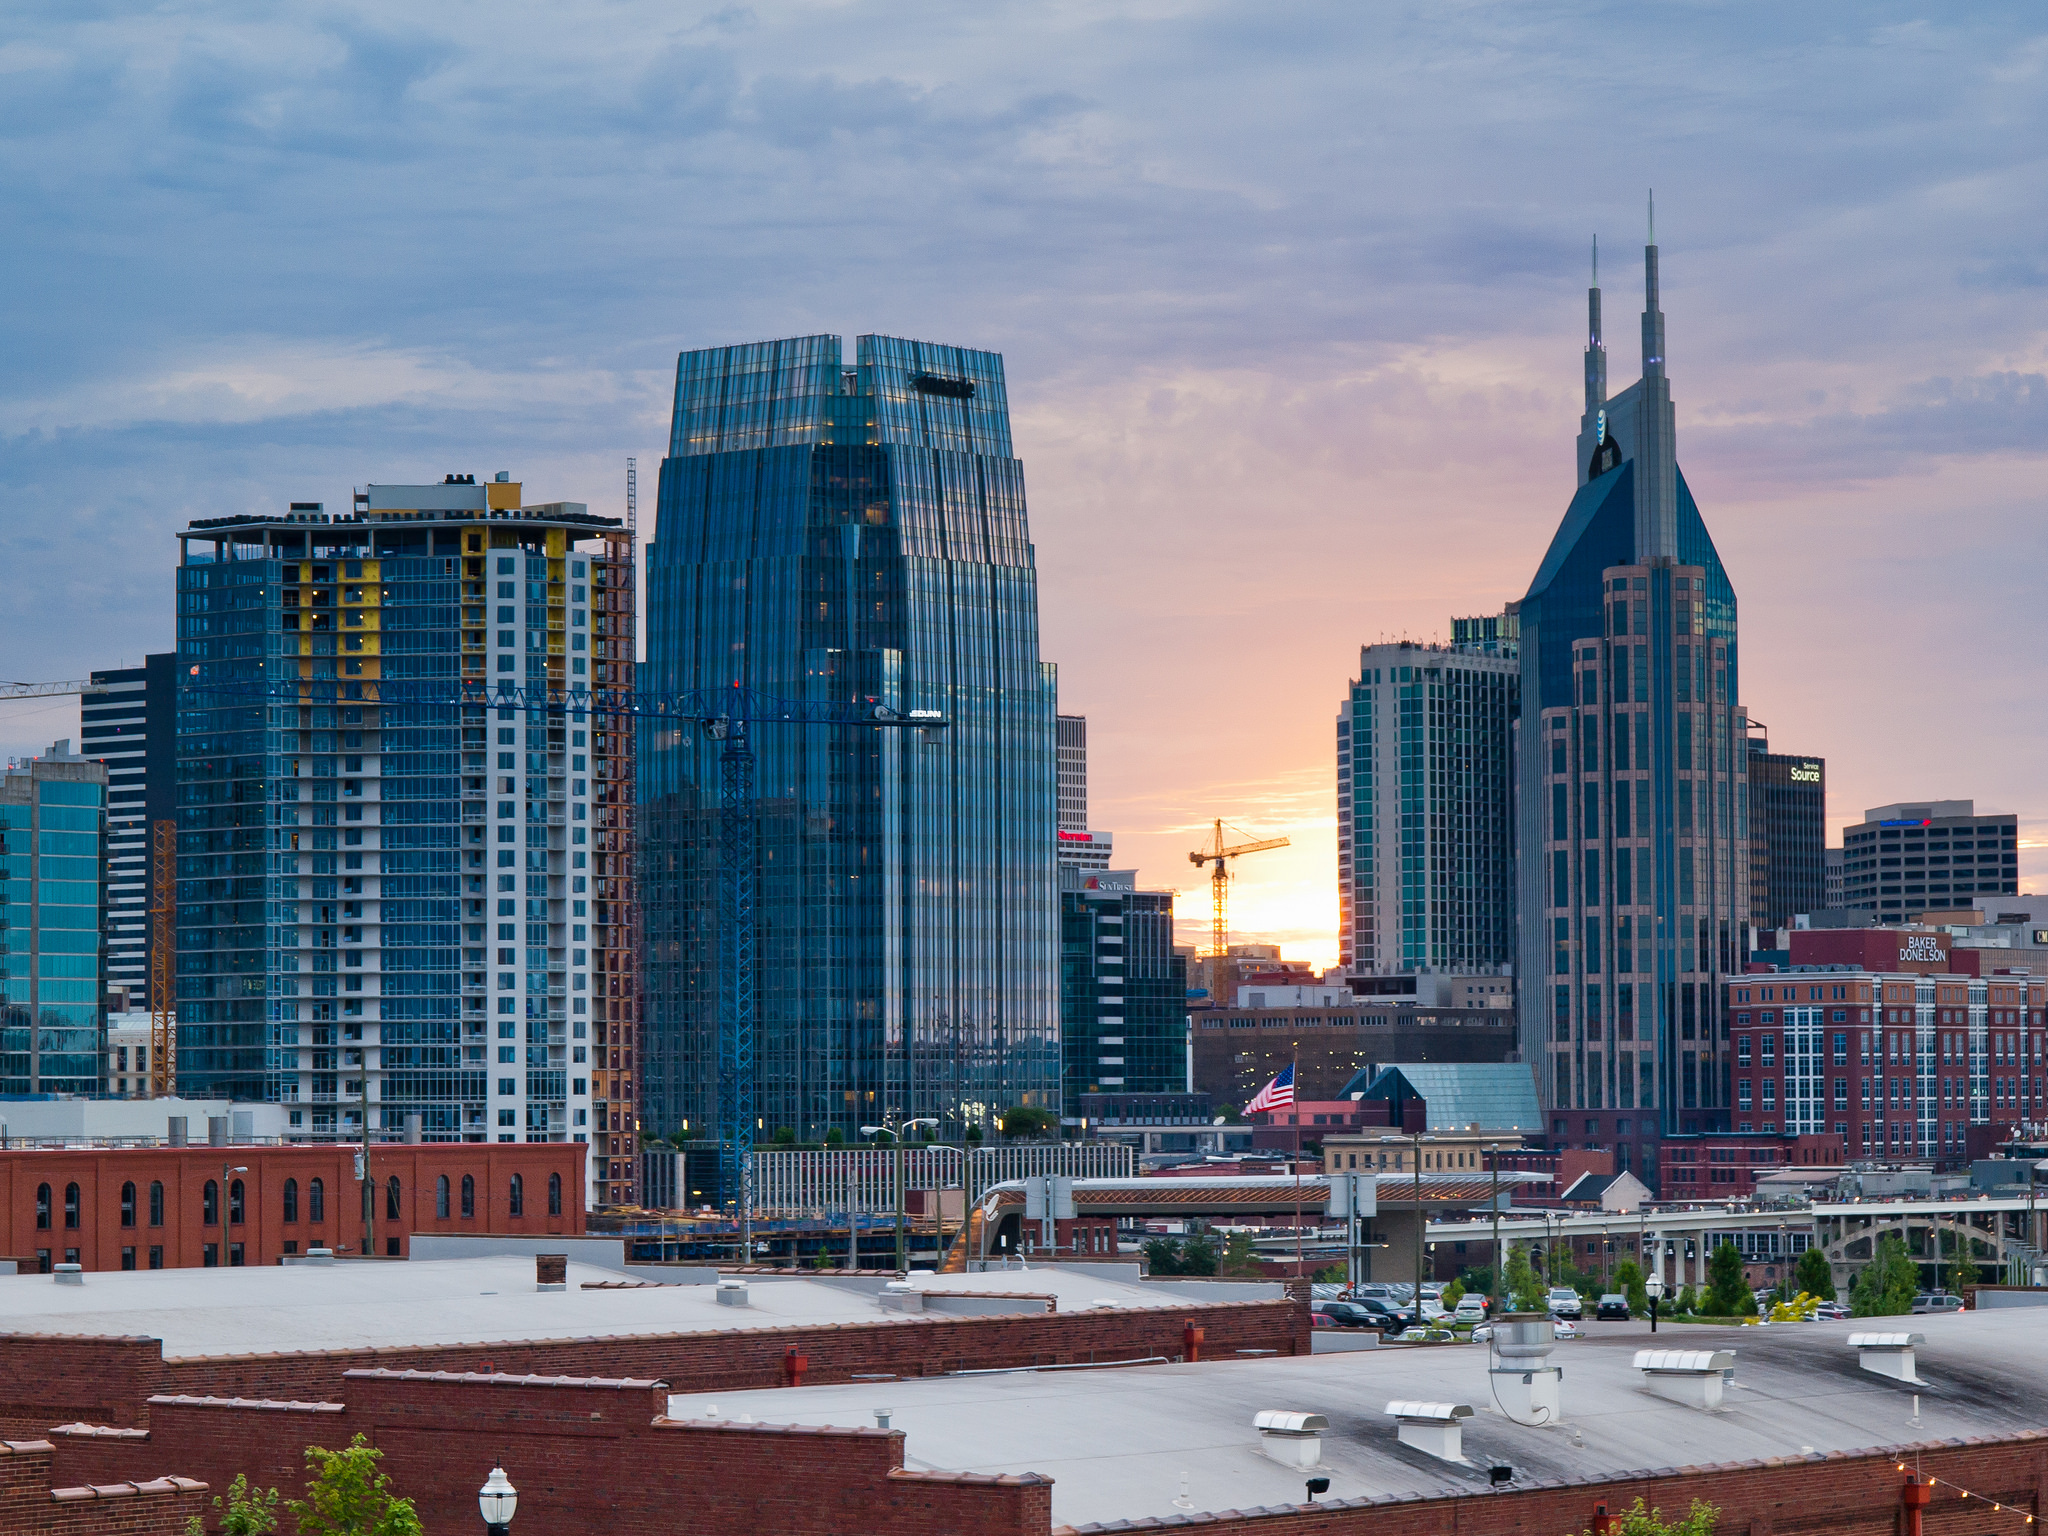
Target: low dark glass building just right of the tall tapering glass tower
{"x":1123,"y":992}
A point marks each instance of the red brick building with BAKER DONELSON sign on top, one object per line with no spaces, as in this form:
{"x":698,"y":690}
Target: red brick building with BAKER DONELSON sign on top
{"x":1912,"y":1050}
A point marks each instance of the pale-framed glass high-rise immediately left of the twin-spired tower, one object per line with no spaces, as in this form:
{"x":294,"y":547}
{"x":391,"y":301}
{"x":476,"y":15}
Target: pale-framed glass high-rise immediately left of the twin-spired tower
{"x":1426,"y":830}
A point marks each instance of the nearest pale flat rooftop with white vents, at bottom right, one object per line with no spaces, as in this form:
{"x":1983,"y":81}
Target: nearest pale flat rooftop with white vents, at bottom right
{"x":1117,"y":1443}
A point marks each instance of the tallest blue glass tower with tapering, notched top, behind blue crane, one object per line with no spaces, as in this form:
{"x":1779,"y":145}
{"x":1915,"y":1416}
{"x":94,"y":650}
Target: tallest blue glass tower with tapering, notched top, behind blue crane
{"x":855,"y":534}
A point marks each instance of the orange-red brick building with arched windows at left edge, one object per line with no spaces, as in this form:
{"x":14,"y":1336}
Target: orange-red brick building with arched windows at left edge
{"x":189,"y":1207}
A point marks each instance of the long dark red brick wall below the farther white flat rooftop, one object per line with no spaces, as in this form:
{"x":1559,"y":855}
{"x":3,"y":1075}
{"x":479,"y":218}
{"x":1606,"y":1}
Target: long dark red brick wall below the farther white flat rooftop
{"x":48,"y":1381}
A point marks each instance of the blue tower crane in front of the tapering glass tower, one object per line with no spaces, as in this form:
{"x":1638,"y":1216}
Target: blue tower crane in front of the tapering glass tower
{"x":726,"y":718}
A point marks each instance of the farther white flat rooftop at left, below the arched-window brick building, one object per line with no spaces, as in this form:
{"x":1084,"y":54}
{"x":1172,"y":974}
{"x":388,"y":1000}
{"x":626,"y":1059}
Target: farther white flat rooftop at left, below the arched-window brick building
{"x":355,"y":1306}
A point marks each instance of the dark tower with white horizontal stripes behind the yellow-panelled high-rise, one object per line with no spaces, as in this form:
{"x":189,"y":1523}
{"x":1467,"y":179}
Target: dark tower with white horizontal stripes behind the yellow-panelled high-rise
{"x":132,"y":728}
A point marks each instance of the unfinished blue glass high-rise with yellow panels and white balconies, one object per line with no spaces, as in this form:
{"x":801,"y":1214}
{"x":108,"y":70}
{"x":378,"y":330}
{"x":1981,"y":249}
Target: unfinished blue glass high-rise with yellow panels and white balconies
{"x":413,"y":902}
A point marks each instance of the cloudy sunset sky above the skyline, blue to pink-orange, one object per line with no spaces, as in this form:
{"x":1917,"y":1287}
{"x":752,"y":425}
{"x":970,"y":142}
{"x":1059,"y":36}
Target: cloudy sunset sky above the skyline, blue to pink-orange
{"x":1291,"y":300}
